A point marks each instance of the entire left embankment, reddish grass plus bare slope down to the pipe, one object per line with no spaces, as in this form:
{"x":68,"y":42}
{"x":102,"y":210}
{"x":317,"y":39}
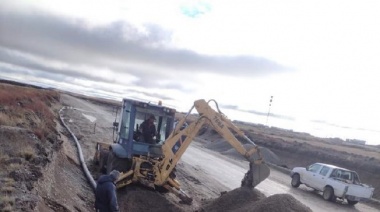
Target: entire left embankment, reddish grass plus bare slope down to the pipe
{"x":37,"y":170}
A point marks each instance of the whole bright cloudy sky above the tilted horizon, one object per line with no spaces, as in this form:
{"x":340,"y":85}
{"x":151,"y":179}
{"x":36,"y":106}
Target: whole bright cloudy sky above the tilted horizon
{"x":318,"y":59}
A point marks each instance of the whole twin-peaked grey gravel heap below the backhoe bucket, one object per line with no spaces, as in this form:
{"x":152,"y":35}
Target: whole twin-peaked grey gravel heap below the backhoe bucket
{"x":245,"y":199}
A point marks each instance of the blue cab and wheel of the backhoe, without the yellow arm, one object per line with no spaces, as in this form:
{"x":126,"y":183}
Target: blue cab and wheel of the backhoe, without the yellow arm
{"x":129,"y":141}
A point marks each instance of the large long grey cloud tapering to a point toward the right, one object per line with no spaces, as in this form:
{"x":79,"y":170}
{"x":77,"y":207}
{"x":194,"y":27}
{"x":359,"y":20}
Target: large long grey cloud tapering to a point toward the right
{"x":71,"y":41}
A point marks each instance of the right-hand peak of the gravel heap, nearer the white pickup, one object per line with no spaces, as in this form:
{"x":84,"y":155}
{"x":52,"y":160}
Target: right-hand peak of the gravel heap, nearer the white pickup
{"x":276,"y":203}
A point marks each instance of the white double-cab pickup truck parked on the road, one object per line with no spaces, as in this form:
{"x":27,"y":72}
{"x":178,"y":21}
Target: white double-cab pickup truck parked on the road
{"x":334,"y":182}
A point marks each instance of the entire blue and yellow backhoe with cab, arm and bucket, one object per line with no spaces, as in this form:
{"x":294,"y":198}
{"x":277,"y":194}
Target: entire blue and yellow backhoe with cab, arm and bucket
{"x":153,"y":165}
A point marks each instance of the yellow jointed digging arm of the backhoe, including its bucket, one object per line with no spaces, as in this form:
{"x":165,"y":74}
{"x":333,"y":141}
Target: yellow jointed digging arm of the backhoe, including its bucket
{"x":179,"y":140}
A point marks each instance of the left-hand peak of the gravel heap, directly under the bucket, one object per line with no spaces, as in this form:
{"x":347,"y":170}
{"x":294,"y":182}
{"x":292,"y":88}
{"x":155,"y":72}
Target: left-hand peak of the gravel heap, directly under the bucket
{"x":234,"y":200}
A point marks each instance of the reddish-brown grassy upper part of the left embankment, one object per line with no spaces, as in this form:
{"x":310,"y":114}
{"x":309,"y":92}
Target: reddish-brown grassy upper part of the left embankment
{"x":27,"y":141}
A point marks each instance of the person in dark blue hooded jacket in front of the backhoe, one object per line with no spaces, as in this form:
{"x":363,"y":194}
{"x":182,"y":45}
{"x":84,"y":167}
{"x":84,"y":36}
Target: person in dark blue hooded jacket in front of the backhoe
{"x":105,"y":193}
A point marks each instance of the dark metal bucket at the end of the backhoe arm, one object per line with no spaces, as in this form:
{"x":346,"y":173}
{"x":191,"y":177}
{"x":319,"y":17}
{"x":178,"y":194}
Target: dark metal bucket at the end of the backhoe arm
{"x":255,"y":174}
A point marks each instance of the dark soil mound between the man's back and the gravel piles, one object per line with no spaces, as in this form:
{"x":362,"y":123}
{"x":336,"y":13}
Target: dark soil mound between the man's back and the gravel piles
{"x":136,"y":199}
